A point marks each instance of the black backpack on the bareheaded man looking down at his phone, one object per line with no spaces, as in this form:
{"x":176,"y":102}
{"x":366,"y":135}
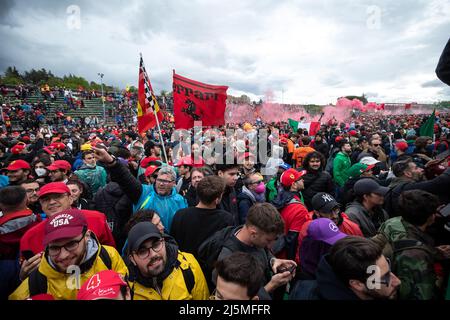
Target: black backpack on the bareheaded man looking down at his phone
{"x":210,"y":249}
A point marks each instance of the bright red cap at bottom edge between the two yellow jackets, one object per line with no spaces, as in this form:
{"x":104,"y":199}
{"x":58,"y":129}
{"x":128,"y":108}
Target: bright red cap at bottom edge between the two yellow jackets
{"x":105,"y":284}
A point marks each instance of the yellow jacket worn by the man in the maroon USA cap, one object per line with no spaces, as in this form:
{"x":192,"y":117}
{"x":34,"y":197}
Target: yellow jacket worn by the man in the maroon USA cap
{"x":59,"y":284}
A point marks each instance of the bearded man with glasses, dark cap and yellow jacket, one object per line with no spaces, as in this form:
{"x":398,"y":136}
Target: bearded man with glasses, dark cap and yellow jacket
{"x":159,"y":271}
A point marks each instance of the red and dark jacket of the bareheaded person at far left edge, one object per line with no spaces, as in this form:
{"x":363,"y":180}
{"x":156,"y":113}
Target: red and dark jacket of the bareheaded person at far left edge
{"x":13,"y":226}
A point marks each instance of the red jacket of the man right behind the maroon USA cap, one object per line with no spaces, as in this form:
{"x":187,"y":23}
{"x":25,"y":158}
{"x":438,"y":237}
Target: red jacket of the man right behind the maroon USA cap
{"x":33,"y":239}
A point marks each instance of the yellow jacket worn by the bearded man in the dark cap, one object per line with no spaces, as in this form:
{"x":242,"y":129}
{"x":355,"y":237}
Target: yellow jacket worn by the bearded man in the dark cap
{"x":174,"y":286}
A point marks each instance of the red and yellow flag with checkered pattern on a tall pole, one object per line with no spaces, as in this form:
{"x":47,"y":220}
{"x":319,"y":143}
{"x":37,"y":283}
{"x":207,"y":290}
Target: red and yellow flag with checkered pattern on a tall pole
{"x":147,"y":105}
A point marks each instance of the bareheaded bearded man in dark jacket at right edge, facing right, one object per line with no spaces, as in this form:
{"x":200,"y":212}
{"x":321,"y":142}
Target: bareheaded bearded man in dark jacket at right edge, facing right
{"x":409,"y":176}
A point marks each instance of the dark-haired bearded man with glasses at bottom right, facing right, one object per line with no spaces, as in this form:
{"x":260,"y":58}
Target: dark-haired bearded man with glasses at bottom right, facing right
{"x":342,"y":274}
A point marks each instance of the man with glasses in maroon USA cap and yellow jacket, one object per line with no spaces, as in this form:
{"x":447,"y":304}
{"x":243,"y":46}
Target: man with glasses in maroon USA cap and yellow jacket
{"x":72,"y":255}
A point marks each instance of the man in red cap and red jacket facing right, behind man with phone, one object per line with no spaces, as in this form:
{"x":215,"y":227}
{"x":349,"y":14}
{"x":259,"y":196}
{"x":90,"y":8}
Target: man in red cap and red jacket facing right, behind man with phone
{"x":292,"y":210}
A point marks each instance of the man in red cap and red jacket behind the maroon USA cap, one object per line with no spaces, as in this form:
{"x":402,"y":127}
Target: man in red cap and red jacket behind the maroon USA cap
{"x":54,"y":198}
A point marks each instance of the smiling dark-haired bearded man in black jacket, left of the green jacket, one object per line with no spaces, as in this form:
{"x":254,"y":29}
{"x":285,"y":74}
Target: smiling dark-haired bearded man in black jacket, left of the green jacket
{"x":316,"y":179}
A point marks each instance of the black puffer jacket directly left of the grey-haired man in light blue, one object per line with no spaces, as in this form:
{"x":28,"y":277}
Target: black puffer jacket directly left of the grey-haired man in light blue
{"x":117,"y":207}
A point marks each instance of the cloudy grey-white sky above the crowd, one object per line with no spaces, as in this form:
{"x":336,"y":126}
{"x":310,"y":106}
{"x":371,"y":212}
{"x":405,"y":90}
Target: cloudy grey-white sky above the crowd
{"x":311,"y":51}
